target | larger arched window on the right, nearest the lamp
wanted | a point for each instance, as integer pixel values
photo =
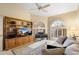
(57, 29)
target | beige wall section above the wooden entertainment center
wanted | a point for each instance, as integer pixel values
(15, 11)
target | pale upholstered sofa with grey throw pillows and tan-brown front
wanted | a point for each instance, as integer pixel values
(59, 48)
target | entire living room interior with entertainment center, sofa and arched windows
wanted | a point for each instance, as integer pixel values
(36, 28)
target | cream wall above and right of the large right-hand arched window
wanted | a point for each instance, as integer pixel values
(71, 21)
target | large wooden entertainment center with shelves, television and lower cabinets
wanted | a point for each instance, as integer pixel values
(16, 32)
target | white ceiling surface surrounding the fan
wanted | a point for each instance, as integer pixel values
(53, 9)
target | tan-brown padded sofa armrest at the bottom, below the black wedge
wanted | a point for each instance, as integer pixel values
(55, 51)
